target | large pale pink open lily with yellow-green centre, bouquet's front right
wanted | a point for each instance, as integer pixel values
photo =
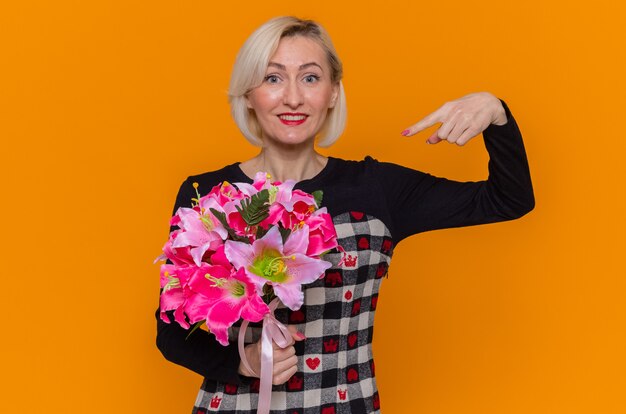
(286, 268)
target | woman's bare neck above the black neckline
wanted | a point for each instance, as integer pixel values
(284, 164)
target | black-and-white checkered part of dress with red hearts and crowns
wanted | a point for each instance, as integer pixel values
(335, 365)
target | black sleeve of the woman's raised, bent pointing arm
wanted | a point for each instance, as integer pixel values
(419, 202)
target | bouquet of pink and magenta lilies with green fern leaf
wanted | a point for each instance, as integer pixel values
(239, 247)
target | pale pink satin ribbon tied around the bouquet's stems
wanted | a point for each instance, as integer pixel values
(273, 330)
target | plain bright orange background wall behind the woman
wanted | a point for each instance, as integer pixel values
(106, 106)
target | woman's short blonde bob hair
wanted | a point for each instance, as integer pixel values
(251, 65)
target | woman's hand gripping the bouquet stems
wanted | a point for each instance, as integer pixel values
(285, 360)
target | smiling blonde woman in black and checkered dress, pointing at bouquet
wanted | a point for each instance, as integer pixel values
(285, 93)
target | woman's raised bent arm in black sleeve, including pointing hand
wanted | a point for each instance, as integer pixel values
(420, 202)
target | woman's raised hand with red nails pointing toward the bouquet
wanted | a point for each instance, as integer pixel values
(462, 119)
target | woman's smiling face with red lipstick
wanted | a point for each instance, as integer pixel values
(292, 102)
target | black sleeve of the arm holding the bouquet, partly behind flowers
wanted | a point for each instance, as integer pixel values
(200, 352)
